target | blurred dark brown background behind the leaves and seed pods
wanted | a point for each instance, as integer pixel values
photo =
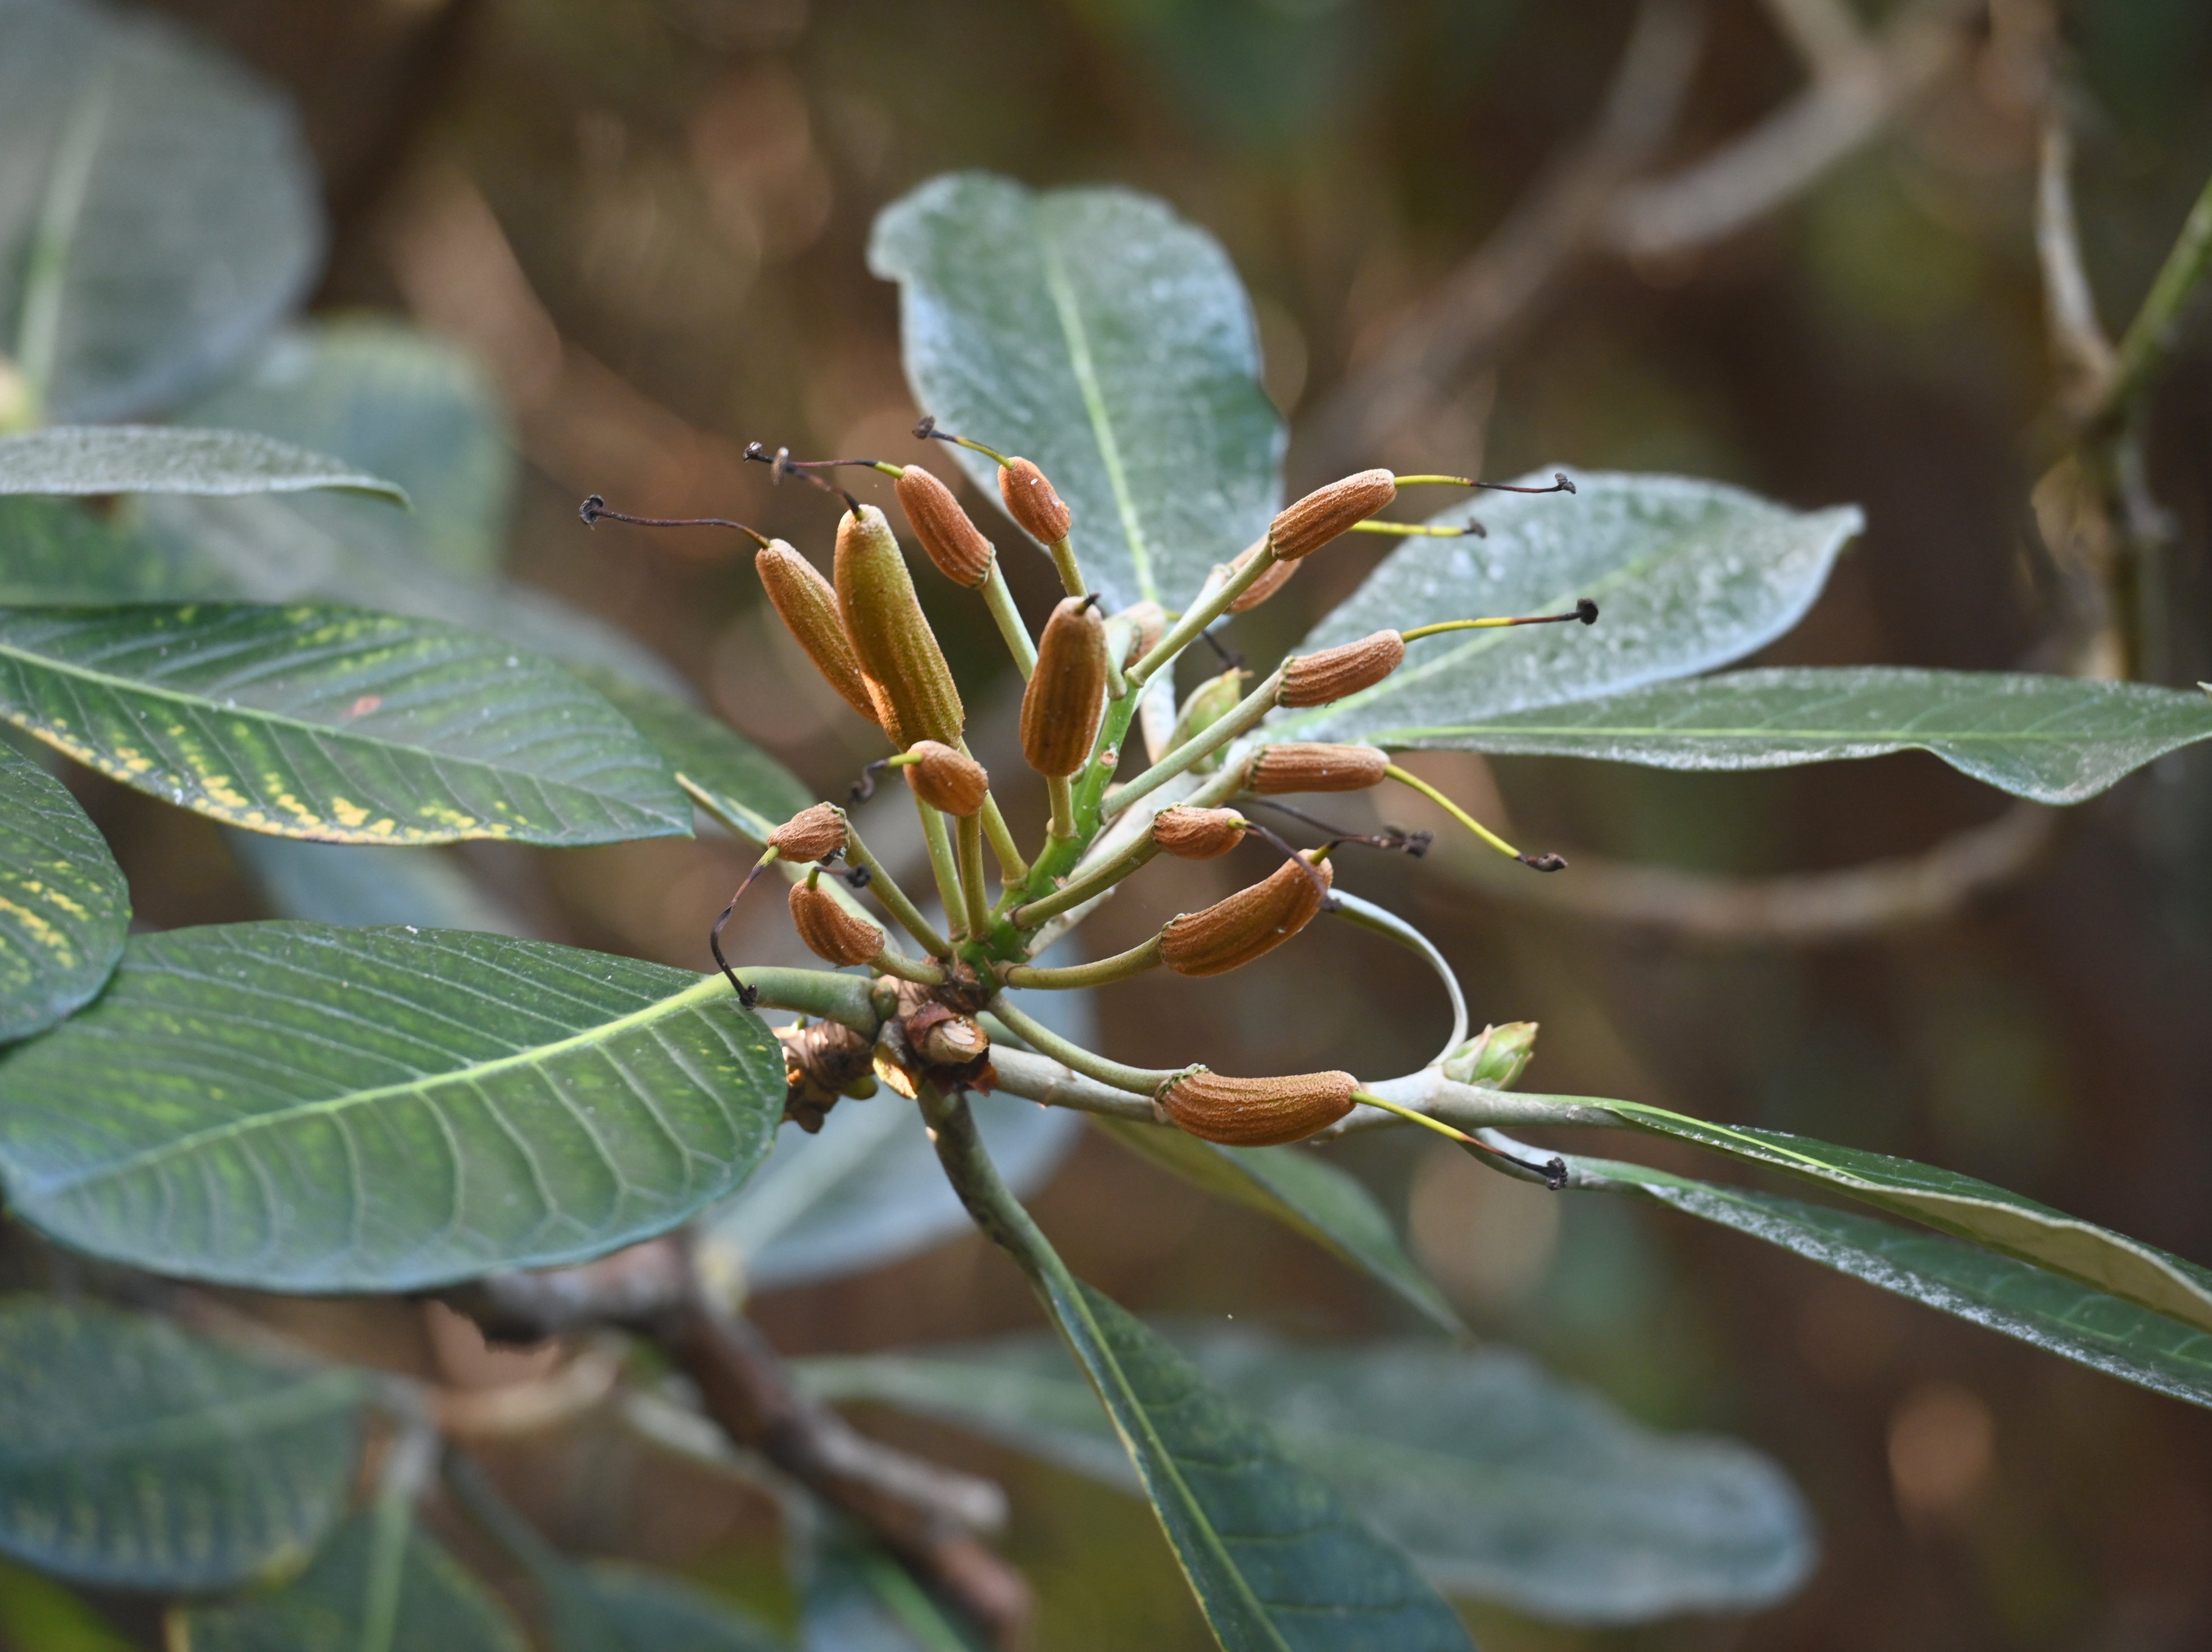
(647, 222)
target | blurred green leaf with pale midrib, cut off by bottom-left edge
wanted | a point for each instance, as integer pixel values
(382, 1587)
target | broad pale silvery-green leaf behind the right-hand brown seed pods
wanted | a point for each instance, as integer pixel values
(1687, 576)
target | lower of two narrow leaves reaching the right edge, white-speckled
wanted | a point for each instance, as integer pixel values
(1968, 1282)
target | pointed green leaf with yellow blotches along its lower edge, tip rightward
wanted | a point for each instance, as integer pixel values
(335, 724)
